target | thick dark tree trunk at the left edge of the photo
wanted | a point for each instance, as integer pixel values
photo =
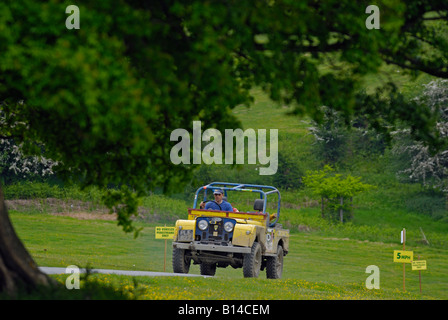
(17, 268)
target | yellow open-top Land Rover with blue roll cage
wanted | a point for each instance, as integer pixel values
(251, 240)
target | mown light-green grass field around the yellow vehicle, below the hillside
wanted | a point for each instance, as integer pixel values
(318, 266)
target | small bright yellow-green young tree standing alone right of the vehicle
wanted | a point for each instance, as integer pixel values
(335, 191)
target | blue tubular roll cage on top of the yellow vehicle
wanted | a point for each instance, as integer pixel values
(262, 190)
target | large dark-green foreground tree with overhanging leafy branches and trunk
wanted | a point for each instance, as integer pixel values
(104, 98)
